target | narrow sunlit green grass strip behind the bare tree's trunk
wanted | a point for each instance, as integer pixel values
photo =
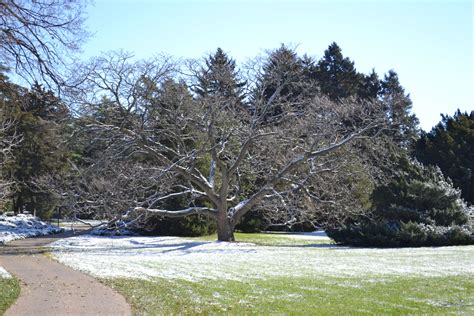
(267, 239)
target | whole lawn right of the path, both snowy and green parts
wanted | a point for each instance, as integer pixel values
(275, 273)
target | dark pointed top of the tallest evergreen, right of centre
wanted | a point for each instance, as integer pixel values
(336, 74)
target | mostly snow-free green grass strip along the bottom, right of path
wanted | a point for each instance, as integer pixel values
(301, 296)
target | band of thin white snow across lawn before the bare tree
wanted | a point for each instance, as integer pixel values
(181, 258)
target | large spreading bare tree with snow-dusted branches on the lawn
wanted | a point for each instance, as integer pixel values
(229, 160)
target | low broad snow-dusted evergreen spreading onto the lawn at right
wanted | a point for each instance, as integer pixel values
(419, 208)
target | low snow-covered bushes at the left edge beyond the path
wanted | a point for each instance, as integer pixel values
(23, 226)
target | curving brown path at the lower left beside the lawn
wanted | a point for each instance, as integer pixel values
(50, 288)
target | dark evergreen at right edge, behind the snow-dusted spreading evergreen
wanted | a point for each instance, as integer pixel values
(450, 145)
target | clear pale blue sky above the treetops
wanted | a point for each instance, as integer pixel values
(428, 43)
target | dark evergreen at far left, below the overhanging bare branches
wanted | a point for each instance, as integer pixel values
(38, 116)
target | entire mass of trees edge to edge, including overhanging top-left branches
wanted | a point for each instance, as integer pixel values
(281, 142)
